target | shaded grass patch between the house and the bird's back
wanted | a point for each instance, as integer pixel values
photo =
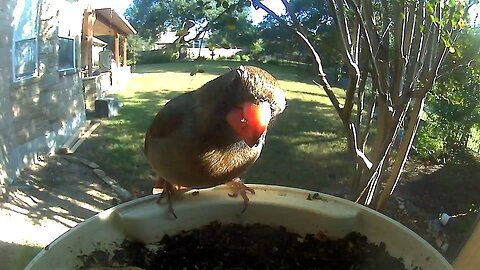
(119, 148)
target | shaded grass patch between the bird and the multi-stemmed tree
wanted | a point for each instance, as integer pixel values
(304, 149)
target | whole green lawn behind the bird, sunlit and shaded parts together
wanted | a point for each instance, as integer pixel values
(305, 145)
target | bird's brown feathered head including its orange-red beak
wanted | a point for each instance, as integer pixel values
(258, 100)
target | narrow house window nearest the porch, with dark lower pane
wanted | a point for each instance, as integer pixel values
(66, 41)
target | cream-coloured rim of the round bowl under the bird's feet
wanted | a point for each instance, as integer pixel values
(298, 210)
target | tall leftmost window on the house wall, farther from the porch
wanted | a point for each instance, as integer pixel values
(25, 39)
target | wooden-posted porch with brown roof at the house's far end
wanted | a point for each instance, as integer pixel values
(104, 70)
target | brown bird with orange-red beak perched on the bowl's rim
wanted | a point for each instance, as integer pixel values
(211, 135)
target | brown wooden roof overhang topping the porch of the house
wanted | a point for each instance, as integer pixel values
(108, 22)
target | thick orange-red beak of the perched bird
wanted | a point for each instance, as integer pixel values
(250, 120)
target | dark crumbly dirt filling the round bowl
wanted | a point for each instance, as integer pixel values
(257, 246)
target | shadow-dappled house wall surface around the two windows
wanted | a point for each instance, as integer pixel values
(38, 114)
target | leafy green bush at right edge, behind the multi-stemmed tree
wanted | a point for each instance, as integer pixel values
(453, 107)
